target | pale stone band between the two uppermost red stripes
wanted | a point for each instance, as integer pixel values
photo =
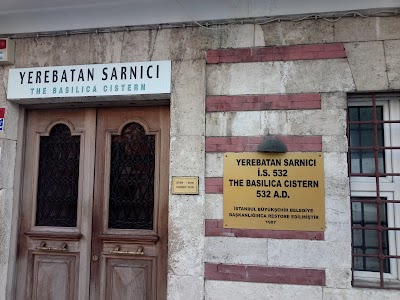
(280, 77)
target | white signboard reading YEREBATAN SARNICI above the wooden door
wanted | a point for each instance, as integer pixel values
(137, 78)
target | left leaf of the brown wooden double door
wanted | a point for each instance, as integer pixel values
(70, 238)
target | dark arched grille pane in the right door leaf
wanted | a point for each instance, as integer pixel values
(131, 200)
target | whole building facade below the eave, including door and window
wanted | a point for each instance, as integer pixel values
(320, 87)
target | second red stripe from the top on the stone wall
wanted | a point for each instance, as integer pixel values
(263, 102)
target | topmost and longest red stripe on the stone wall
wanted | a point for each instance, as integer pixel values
(280, 53)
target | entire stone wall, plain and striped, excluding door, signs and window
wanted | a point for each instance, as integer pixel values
(231, 87)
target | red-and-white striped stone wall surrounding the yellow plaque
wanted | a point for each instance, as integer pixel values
(294, 87)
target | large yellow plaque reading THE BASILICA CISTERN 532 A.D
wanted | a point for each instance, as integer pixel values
(278, 191)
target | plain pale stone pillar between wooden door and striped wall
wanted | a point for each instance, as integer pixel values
(186, 213)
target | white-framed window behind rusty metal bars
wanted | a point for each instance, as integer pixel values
(373, 130)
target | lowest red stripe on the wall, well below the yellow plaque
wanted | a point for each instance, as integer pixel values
(265, 274)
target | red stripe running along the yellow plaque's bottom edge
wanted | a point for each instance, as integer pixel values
(215, 228)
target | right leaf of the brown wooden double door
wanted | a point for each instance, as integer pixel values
(131, 191)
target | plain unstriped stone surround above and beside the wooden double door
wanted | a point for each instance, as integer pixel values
(186, 49)
